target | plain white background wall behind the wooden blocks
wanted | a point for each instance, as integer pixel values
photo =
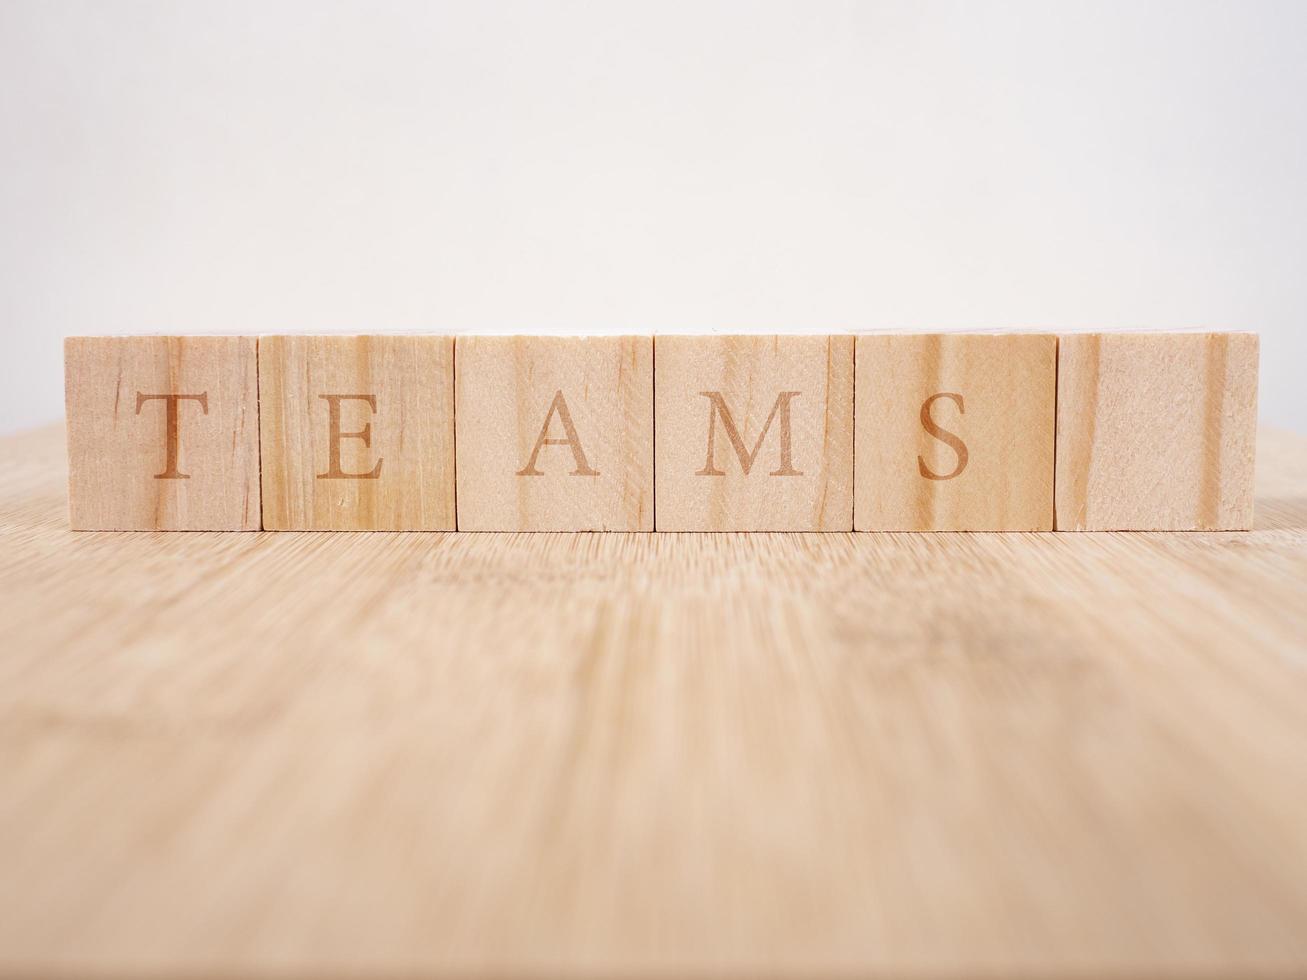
(650, 168)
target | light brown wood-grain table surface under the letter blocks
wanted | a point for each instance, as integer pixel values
(340, 755)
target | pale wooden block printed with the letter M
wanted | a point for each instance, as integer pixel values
(755, 433)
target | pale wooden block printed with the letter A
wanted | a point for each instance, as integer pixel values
(556, 433)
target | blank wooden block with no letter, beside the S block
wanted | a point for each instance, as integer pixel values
(1156, 432)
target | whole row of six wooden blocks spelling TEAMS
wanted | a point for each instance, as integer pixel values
(887, 432)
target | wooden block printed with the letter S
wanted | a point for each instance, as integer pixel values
(956, 432)
